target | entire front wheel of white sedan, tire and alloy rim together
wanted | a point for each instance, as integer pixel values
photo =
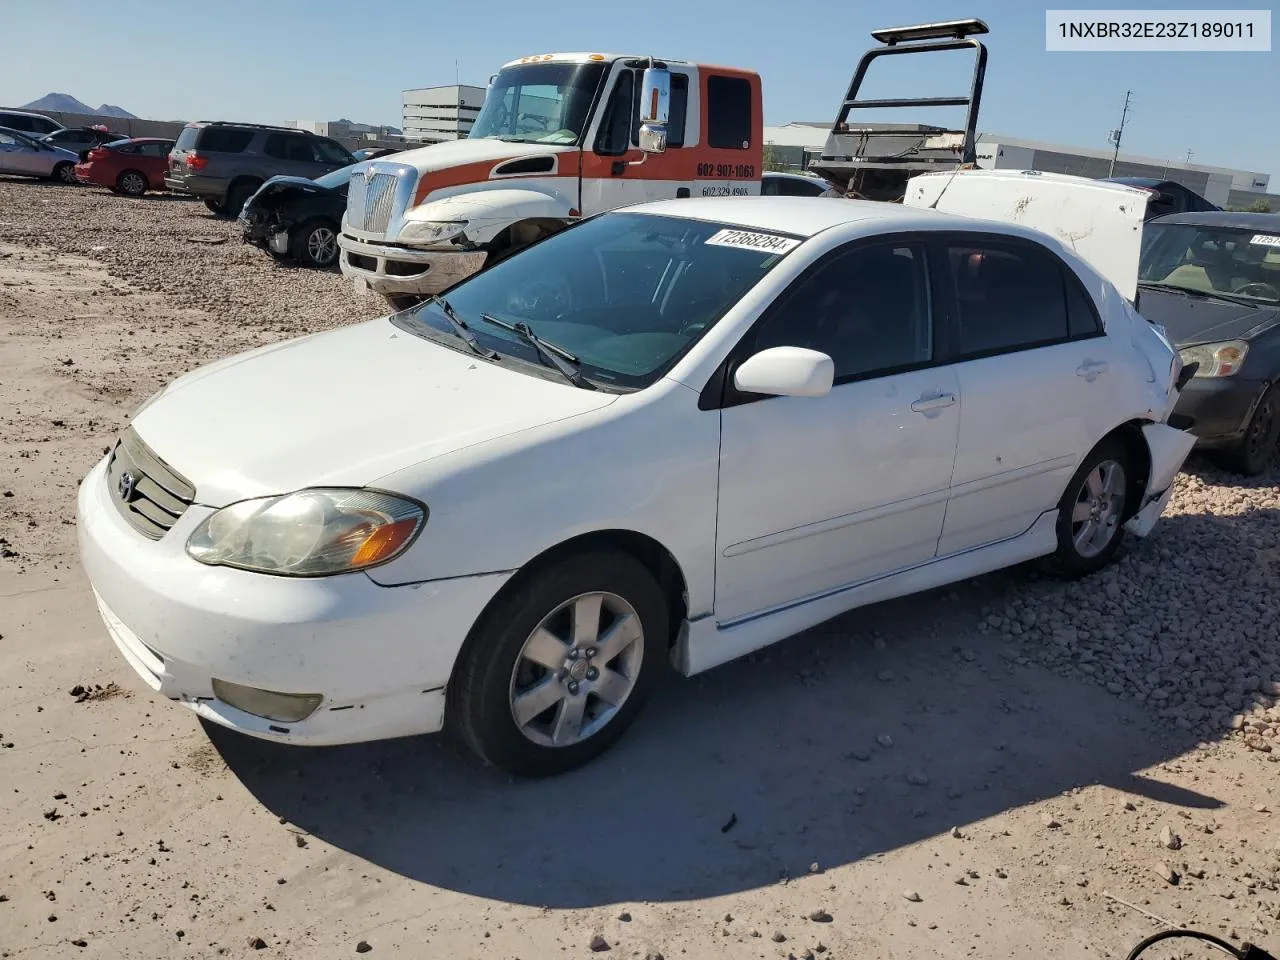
(559, 668)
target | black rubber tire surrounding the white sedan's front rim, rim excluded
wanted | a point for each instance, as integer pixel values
(479, 706)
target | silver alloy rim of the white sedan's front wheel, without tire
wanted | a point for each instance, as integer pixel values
(577, 670)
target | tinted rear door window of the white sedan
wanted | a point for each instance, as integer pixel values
(1009, 298)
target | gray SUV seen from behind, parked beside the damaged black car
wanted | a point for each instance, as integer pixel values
(226, 163)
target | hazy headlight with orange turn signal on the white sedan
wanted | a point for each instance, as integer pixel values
(309, 533)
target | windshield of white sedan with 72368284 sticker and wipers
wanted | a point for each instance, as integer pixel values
(627, 295)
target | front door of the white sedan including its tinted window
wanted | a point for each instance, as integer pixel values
(821, 493)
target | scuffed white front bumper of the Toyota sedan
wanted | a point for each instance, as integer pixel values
(381, 657)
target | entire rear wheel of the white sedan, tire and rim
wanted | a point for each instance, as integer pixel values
(1092, 511)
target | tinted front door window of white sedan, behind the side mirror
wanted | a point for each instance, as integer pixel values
(867, 309)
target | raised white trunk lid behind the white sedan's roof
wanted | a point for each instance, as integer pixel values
(1101, 222)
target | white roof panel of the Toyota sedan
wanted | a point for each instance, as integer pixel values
(808, 217)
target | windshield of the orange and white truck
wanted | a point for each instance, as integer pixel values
(543, 103)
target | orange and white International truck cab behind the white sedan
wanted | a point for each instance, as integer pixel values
(560, 138)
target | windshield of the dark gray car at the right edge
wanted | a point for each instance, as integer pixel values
(1231, 262)
